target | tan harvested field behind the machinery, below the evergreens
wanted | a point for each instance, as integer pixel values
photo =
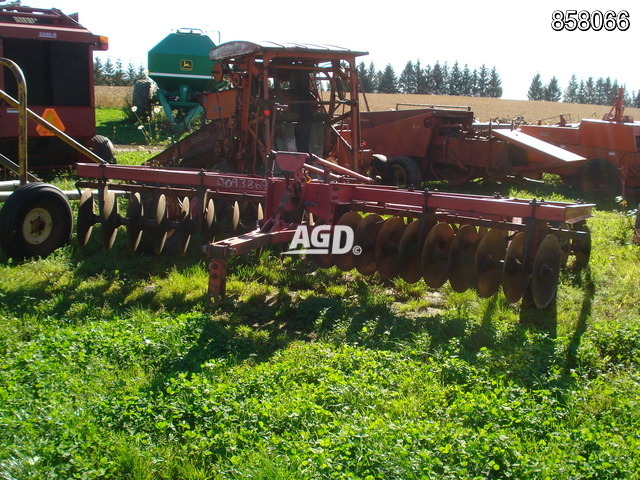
(484, 109)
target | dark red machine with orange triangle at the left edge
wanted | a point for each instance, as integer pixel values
(55, 53)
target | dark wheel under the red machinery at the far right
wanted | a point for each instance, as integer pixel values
(599, 180)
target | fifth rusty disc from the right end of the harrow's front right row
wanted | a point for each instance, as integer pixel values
(435, 254)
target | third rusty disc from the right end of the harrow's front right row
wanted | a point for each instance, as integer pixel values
(489, 262)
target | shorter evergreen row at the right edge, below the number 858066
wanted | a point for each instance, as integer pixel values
(602, 91)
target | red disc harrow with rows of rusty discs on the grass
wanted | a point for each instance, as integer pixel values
(472, 241)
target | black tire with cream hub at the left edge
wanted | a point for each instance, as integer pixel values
(35, 220)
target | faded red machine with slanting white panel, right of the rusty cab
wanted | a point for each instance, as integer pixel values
(444, 144)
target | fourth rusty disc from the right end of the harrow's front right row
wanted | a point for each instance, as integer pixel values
(462, 258)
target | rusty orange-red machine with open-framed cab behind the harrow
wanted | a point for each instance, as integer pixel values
(288, 97)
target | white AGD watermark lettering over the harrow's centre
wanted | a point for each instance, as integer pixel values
(323, 239)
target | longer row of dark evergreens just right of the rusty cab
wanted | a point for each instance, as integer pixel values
(437, 79)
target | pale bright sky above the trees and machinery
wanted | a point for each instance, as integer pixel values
(514, 36)
